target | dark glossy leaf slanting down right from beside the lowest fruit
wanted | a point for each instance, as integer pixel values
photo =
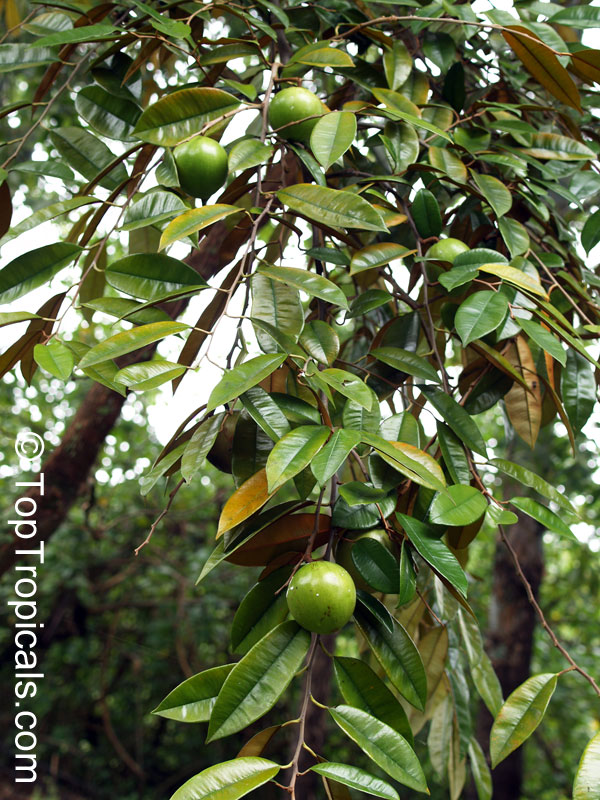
(397, 654)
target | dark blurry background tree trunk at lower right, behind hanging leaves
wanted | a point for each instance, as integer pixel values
(509, 642)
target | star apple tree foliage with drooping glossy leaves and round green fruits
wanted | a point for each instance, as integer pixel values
(383, 210)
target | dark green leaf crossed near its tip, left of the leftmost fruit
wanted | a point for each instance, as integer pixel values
(85, 153)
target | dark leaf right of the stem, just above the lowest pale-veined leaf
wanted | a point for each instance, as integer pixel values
(362, 688)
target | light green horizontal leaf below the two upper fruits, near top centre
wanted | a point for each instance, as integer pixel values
(334, 207)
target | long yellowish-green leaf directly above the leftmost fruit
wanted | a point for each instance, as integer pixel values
(182, 114)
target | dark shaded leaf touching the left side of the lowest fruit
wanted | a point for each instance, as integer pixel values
(262, 609)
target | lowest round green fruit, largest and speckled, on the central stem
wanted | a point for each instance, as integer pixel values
(321, 597)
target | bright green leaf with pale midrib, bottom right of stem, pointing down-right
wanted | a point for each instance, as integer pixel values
(383, 744)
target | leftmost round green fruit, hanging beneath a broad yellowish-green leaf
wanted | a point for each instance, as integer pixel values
(201, 165)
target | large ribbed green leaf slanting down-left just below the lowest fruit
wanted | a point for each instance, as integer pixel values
(257, 681)
